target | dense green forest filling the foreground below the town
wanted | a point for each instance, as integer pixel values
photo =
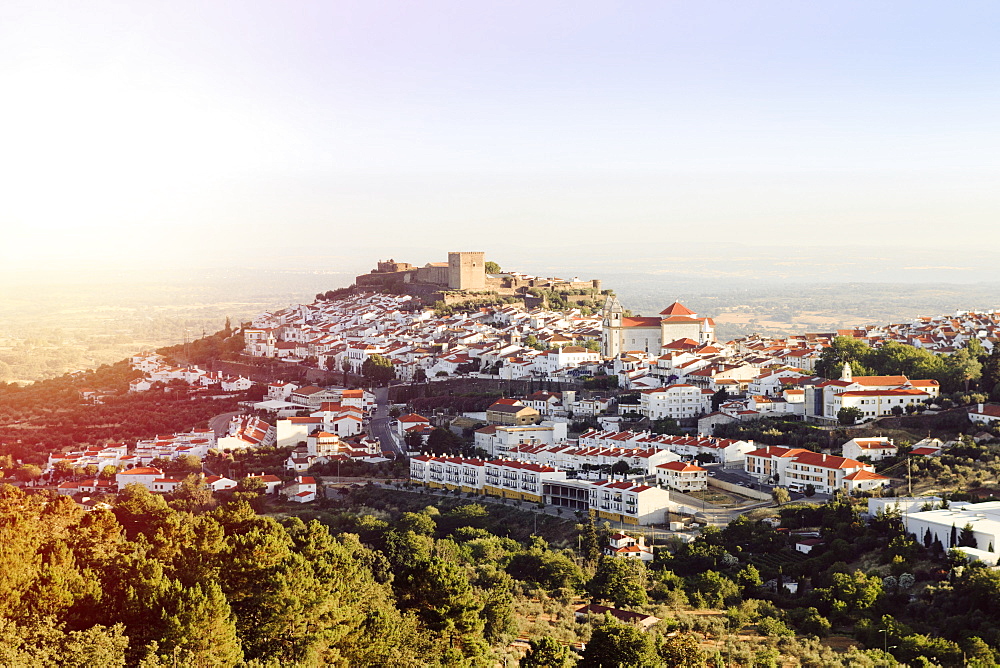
(393, 576)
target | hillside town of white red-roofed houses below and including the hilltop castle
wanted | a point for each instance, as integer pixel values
(648, 431)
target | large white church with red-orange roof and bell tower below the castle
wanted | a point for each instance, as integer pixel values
(622, 334)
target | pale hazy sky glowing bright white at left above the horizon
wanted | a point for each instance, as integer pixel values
(136, 134)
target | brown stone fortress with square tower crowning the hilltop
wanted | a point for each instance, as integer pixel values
(461, 278)
